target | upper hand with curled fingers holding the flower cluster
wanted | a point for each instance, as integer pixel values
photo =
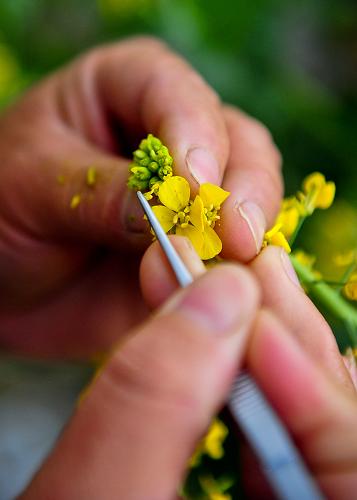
(66, 273)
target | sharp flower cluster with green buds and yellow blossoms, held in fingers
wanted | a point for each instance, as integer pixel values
(151, 172)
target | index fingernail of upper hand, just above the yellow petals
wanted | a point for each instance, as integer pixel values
(202, 165)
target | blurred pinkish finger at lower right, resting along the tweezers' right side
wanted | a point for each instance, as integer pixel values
(319, 413)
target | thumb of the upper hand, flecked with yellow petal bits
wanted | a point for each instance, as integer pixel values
(50, 195)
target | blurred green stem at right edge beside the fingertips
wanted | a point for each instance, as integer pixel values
(326, 295)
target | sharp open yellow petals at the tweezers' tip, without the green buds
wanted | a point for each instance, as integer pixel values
(193, 219)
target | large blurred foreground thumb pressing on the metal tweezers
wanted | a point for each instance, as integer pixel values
(133, 433)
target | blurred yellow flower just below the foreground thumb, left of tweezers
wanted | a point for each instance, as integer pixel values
(212, 443)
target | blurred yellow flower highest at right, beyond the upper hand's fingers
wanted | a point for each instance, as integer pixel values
(317, 192)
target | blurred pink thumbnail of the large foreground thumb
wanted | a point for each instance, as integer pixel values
(220, 301)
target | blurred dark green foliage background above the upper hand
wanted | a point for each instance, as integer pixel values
(291, 64)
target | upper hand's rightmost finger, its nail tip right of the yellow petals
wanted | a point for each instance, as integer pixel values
(254, 180)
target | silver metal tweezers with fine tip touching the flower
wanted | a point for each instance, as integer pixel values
(279, 459)
